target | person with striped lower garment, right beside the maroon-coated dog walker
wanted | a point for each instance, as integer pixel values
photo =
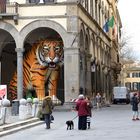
(90, 106)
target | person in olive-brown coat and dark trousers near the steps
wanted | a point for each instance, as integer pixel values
(47, 107)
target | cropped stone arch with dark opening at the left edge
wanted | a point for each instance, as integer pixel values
(8, 56)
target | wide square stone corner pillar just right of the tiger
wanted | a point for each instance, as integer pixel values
(71, 73)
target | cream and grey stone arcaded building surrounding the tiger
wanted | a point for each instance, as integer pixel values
(91, 59)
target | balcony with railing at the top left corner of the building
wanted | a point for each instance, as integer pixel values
(9, 11)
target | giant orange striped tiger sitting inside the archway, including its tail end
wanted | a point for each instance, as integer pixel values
(41, 65)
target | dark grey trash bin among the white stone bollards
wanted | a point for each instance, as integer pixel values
(15, 107)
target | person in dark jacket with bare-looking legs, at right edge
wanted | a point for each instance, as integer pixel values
(134, 103)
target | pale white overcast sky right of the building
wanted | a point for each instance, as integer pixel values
(130, 16)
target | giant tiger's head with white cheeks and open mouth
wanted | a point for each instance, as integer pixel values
(50, 53)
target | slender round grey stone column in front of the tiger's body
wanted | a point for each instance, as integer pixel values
(19, 72)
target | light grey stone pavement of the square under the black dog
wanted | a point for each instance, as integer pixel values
(108, 123)
